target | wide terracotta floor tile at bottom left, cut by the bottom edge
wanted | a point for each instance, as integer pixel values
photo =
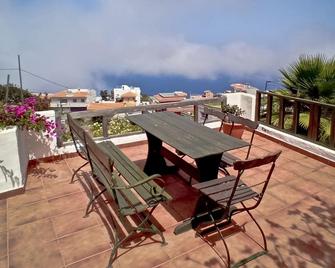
(46, 255)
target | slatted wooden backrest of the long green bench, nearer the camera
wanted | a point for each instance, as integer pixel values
(101, 163)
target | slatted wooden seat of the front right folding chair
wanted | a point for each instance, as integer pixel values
(220, 190)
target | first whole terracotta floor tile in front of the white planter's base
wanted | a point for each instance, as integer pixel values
(30, 196)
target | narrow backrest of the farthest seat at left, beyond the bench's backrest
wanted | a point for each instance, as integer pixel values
(77, 134)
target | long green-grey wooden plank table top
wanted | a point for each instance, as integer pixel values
(185, 135)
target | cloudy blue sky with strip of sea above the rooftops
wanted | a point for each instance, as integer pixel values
(164, 45)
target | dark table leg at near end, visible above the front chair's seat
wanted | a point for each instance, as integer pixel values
(208, 167)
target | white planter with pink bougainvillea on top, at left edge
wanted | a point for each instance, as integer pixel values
(17, 123)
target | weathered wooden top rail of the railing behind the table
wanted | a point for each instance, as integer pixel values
(110, 113)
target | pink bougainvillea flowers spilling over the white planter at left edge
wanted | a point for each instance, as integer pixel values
(24, 115)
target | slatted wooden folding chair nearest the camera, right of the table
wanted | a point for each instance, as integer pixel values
(230, 194)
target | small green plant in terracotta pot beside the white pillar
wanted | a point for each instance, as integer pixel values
(227, 126)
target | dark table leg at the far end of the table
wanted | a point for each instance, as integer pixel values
(155, 162)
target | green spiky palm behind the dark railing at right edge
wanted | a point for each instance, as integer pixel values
(311, 76)
